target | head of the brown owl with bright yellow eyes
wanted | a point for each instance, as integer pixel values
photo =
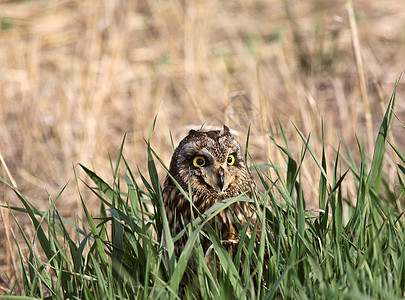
(211, 161)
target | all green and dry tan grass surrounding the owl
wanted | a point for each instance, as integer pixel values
(77, 75)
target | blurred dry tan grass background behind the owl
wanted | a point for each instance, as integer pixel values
(75, 76)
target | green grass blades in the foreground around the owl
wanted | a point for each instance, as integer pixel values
(127, 251)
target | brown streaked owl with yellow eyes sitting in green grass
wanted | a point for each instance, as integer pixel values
(212, 164)
